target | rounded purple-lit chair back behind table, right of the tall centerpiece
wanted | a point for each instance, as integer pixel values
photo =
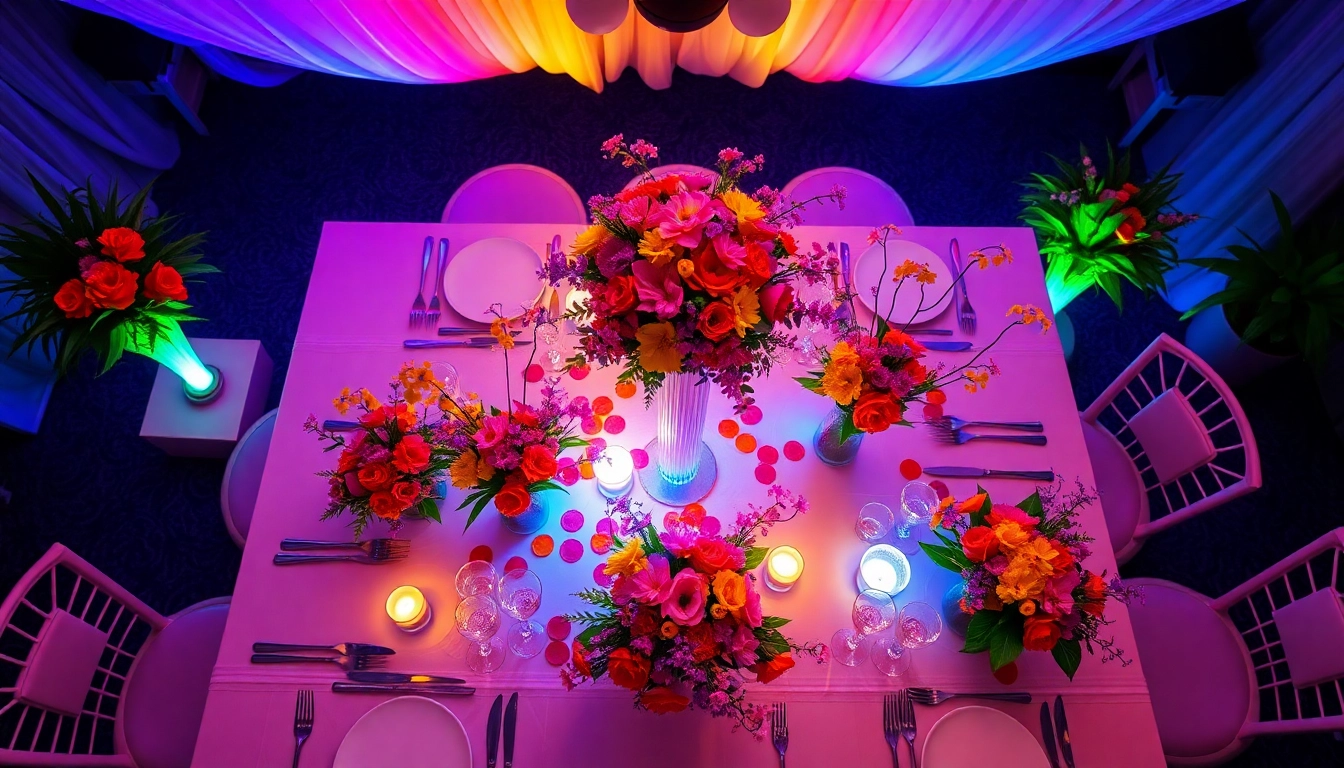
(869, 201)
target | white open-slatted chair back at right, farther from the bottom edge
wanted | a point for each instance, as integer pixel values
(1185, 431)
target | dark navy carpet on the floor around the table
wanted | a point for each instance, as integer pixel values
(282, 162)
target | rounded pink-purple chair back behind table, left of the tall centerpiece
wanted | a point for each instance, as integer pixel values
(515, 194)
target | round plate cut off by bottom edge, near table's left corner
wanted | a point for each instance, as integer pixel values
(408, 732)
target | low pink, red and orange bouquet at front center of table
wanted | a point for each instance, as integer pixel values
(683, 614)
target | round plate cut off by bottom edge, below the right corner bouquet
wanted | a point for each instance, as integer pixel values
(967, 735)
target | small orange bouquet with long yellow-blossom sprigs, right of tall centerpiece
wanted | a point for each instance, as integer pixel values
(876, 373)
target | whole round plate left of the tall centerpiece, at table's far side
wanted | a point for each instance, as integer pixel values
(493, 271)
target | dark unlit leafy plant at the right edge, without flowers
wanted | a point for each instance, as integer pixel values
(1288, 298)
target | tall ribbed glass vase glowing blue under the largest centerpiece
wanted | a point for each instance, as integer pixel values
(682, 467)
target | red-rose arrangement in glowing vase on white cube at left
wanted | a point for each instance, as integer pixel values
(97, 275)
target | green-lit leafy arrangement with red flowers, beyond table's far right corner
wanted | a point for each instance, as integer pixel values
(1097, 228)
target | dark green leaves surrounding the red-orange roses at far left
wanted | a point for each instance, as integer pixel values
(45, 255)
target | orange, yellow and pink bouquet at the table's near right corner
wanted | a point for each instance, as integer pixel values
(1026, 586)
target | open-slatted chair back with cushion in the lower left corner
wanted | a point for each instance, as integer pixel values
(71, 638)
